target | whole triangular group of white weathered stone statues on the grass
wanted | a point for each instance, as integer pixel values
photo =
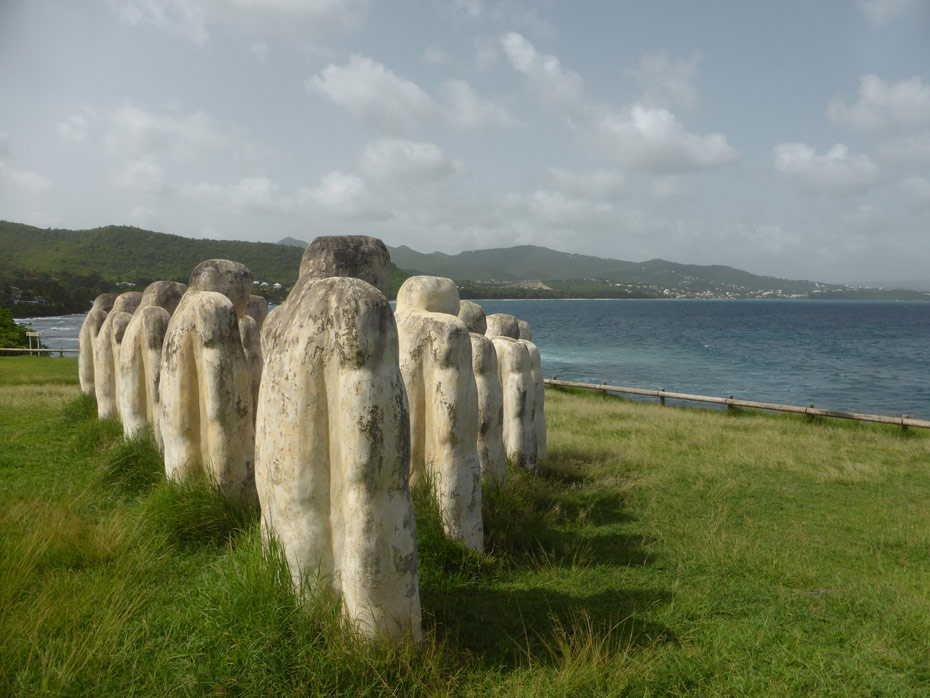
(327, 410)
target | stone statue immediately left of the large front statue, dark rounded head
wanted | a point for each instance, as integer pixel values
(205, 398)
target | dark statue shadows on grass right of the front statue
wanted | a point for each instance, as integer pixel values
(559, 522)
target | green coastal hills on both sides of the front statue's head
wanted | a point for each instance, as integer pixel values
(52, 272)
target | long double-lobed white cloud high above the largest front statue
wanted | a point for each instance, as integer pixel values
(390, 104)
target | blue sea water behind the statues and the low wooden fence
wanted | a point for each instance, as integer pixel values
(843, 355)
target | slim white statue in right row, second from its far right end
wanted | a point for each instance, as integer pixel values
(519, 389)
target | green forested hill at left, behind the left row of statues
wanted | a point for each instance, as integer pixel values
(124, 252)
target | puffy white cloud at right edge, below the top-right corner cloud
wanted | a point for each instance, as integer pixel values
(881, 105)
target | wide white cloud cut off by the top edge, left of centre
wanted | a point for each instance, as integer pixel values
(192, 19)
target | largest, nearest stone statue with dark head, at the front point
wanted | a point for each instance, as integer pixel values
(332, 437)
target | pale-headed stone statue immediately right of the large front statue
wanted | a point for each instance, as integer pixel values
(436, 363)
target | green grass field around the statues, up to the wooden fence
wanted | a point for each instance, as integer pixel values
(661, 551)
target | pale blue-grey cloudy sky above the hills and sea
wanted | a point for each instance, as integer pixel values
(786, 138)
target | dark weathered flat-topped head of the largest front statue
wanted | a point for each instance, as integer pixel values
(357, 256)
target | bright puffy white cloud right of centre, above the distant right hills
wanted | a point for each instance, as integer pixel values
(653, 140)
